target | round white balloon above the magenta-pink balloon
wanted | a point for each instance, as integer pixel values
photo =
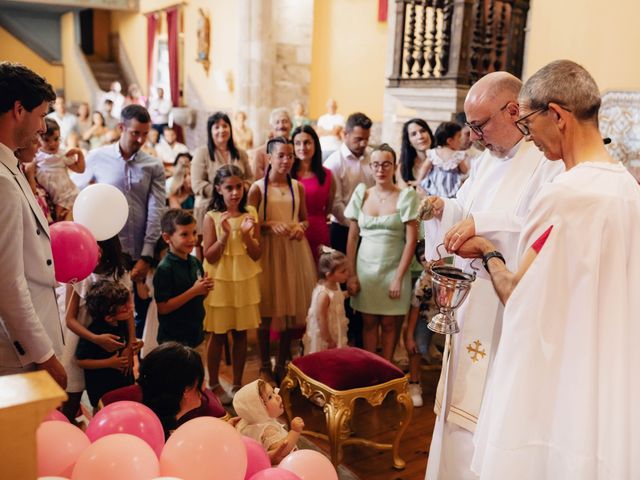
(103, 209)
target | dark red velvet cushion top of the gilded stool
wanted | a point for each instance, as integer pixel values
(347, 368)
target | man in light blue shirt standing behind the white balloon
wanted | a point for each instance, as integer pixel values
(140, 177)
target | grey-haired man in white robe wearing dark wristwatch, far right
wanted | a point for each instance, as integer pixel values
(563, 398)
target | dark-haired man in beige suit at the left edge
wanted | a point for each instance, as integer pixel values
(30, 331)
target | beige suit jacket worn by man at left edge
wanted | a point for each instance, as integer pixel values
(30, 329)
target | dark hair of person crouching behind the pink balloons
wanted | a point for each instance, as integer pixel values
(165, 373)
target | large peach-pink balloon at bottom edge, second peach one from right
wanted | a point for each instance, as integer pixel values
(204, 448)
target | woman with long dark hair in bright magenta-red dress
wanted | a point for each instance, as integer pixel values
(319, 185)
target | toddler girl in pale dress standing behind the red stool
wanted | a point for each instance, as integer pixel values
(327, 322)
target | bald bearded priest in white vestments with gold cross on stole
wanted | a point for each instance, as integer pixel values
(492, 202)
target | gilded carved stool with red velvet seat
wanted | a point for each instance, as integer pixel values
(339, 376)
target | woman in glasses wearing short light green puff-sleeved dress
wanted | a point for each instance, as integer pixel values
(385, 217)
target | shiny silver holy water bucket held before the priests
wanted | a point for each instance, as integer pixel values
(450, 287)
